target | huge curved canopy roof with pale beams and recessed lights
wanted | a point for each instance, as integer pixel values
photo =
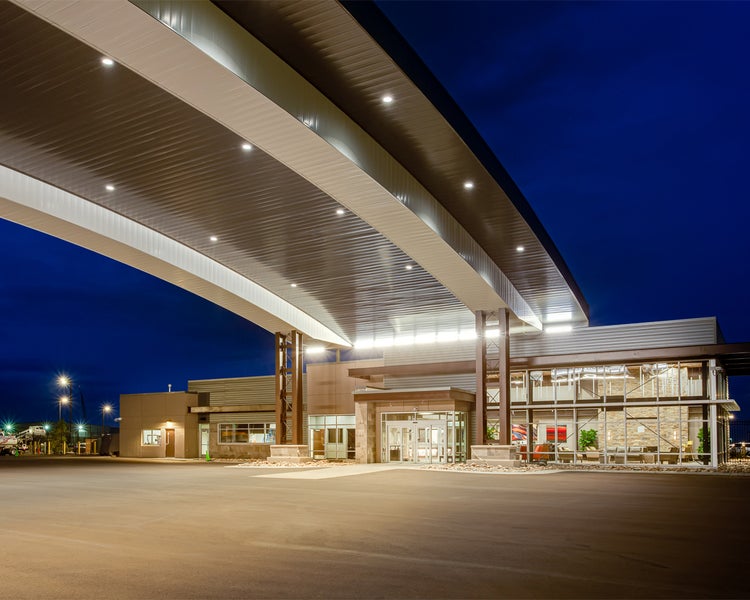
(348, 219)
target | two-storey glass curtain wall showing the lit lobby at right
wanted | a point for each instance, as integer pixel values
(656, 413)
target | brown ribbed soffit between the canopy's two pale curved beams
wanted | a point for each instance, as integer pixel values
(68, 121)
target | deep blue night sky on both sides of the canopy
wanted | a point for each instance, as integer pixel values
(625, 125)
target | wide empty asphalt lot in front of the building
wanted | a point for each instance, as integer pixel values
(112, 528)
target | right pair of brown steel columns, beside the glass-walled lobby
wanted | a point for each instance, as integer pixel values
(492, 418)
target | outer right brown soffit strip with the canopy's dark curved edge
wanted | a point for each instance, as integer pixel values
(354, 72)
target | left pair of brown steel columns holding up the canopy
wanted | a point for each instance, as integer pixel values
(289, 400)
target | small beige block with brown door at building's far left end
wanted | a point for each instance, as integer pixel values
(162, 411)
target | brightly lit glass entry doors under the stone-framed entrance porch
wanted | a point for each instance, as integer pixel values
(437, 437)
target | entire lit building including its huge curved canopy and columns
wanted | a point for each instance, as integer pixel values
(297, 164)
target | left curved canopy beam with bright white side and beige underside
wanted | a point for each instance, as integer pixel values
(45, 208)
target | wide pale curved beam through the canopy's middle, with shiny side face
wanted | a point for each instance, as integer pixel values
(295, 123)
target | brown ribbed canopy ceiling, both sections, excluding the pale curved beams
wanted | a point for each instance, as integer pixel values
(68, 121)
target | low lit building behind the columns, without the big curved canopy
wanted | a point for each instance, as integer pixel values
(647, 393)
